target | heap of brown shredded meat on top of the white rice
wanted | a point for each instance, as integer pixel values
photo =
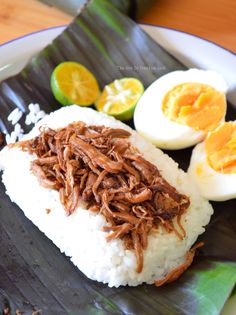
(98, 166)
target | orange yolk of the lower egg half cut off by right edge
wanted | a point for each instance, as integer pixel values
(220, 148)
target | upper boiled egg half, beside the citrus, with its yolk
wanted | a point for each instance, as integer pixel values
(177, 110)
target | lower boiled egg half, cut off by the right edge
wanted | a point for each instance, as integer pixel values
(213, 164)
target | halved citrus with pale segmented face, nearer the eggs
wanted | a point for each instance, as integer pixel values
(120, 97)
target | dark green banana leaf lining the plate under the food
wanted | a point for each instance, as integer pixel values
(34, 275)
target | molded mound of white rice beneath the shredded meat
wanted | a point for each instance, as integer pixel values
(80, 235)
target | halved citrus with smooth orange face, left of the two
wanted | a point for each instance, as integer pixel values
(72, 83)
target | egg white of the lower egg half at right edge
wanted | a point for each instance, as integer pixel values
(211, 184)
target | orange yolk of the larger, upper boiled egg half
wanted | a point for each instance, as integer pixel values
(194, 104)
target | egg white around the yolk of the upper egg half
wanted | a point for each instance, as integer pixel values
(150, 120)
